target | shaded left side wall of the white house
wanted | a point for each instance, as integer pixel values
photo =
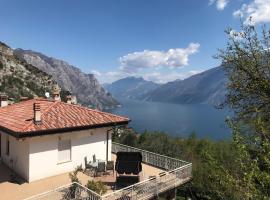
(18, 153)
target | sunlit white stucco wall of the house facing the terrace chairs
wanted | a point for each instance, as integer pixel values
(43, 152)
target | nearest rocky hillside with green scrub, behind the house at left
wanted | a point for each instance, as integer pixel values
(20, 79)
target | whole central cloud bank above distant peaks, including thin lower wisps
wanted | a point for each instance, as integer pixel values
(157, 66)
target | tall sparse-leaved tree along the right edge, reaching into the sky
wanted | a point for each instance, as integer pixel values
(246, 60)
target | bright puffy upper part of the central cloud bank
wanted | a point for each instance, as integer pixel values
(172, 58)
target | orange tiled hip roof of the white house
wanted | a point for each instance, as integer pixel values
(18, 118)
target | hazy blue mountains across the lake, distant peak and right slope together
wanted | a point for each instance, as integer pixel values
(208, 87)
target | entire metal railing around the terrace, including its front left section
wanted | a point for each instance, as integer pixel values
(177, 172)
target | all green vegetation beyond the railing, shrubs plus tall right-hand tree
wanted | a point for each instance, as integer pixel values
(240, 168)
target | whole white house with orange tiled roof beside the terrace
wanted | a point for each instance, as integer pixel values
(41, 138)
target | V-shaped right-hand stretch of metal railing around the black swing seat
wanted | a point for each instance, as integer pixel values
(177, 173)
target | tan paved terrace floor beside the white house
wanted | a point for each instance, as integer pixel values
(15, 191)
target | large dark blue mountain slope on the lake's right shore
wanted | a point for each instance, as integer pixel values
(208, 87)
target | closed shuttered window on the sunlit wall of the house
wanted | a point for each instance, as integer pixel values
(64, 151)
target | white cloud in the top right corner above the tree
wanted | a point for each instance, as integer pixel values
(258, 10)
